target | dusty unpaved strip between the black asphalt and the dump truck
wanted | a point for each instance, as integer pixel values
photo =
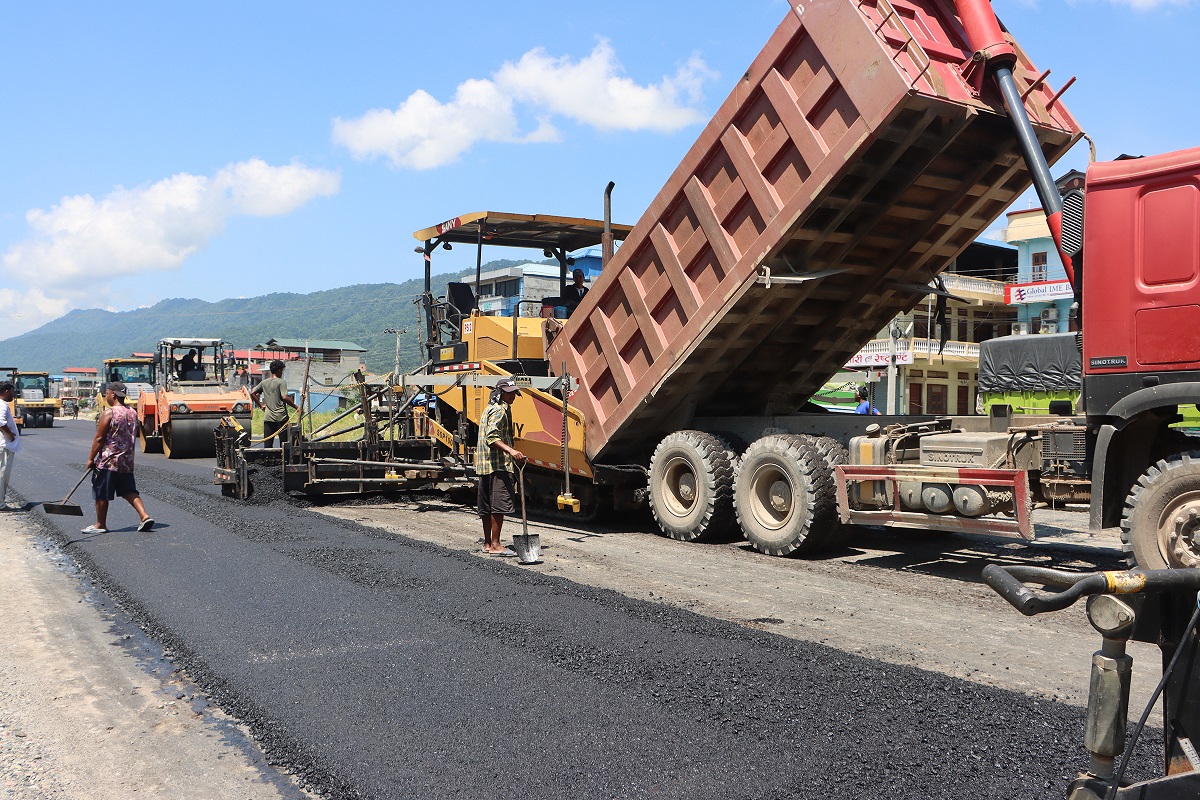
(899, 599)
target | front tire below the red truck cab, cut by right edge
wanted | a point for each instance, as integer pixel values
(1161, 524)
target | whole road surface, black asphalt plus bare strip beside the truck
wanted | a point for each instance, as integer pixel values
(373, 653)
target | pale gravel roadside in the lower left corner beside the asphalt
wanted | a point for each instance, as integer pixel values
(82, 719)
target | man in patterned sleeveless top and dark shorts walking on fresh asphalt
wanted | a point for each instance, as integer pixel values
(112, 459)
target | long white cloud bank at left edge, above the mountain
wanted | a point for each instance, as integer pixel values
(79, 246)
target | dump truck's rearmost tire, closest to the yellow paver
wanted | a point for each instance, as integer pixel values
(692, 486)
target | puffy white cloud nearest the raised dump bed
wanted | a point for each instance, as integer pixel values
(424, 133)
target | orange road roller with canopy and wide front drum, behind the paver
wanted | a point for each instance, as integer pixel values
(191, 395)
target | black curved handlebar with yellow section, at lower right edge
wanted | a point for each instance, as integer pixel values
(1010, 582)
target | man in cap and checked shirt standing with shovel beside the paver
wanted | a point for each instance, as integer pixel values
(496, 459)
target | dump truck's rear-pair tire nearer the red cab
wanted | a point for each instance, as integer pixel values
(784, 496)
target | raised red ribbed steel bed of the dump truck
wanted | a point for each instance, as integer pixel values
(850, 166)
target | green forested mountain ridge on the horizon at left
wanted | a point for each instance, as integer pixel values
(359, 314)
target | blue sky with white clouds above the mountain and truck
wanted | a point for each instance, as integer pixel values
(215, 151)
